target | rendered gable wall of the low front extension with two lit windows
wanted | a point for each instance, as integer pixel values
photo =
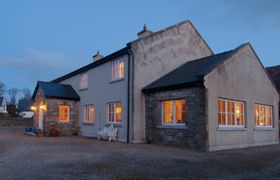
(241, 78)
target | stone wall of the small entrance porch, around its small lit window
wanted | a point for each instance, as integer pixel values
(51, 117)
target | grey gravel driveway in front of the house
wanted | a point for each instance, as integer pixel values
(26, 157)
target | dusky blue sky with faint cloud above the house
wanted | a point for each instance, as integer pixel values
(42, 40)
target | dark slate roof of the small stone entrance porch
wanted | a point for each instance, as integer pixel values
(55, 90)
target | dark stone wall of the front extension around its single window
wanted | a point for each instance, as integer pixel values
(193, 135)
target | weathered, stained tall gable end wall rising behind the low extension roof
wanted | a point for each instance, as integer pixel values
(155, 56)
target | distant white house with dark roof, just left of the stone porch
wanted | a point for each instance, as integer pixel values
(24, 108)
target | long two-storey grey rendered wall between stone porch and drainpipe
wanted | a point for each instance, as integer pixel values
(101, 90)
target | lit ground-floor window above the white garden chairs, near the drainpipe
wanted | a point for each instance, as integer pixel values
(115, 112)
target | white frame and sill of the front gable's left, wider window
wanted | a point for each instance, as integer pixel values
(234, 112)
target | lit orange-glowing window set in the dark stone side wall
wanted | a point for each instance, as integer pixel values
(174, 112)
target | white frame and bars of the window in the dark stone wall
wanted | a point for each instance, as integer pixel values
(173, 113)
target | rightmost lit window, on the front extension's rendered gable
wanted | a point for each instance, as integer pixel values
(263, 115)
